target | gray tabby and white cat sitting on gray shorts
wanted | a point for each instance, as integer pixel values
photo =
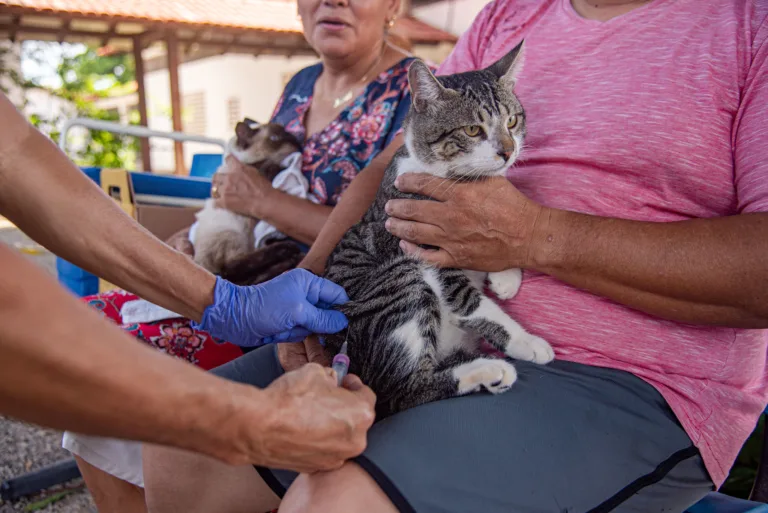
(414, 330)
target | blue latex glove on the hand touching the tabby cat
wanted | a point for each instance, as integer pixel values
(285, 309)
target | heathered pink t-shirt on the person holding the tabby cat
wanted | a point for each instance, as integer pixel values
(660, 114)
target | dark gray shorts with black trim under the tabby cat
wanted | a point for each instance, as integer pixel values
(565, 438)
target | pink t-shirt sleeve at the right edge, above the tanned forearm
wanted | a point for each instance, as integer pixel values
(750, 133)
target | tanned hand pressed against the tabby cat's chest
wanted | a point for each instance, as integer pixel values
(485, 226)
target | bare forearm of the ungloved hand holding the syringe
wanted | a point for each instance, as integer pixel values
(76, 371)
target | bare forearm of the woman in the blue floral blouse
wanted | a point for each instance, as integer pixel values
(298, 218)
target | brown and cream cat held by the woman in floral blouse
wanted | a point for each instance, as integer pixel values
(223, 238)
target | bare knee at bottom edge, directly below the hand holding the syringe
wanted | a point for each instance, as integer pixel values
(348, 489)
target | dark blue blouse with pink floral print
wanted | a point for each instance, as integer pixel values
(337, 153)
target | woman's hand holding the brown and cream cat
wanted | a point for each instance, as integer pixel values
(241, 189)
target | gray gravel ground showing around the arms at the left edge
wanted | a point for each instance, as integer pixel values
(25, 448)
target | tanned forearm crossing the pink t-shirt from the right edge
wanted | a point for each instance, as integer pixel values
(704, 271)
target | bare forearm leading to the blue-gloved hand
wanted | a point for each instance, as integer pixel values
(46, 196)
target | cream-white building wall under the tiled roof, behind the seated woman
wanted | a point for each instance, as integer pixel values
(256, 81)
